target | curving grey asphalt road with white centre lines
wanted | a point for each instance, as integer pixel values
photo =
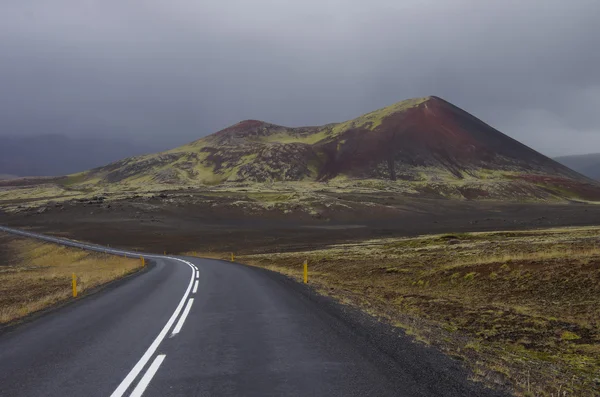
(200, 327)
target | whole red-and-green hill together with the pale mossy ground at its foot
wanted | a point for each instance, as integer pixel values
(423, 147)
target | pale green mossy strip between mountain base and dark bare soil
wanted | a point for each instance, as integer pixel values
(314, 198)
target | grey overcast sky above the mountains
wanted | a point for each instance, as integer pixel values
(168, 72)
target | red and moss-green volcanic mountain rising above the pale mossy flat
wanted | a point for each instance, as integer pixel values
(416, 139)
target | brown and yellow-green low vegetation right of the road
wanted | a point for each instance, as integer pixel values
(522, 309)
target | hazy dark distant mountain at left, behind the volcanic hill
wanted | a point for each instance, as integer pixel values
(55, 154)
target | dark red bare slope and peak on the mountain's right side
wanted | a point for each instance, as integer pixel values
(436, 134)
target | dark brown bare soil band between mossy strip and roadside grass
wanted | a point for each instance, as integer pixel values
(158, 224)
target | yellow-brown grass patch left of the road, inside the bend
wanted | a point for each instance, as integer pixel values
(35, 275)
